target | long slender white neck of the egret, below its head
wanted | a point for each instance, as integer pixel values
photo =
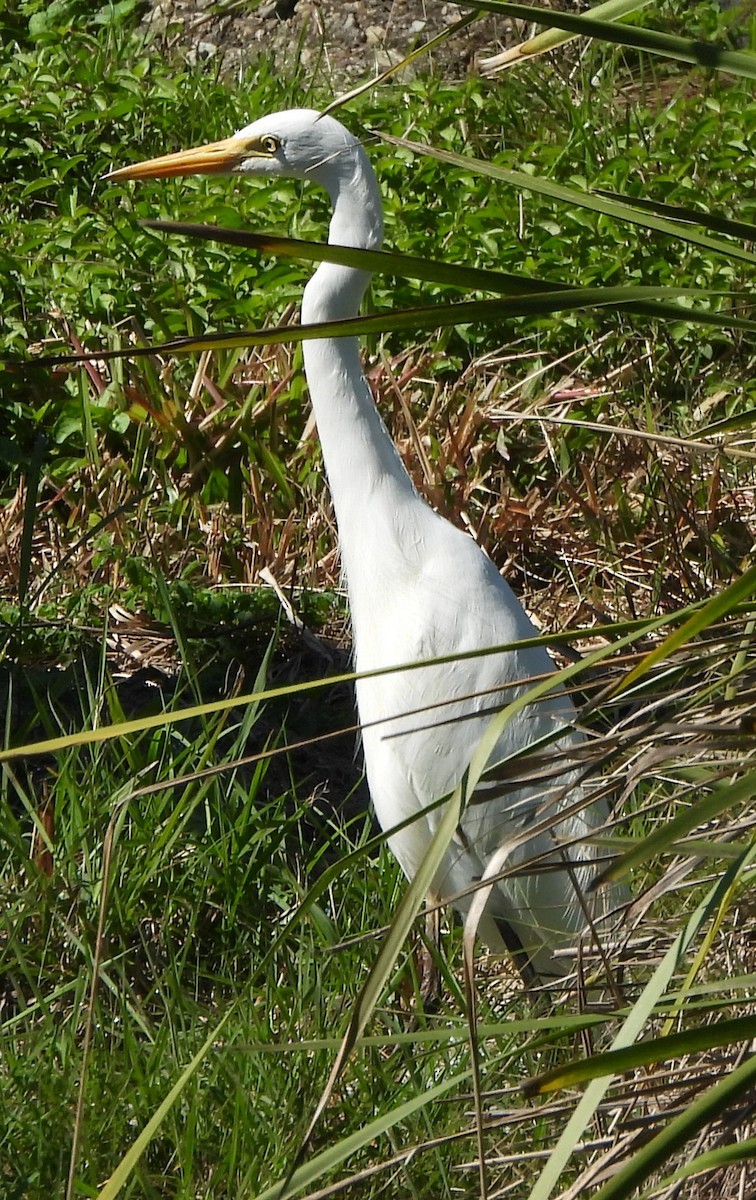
(362, 464)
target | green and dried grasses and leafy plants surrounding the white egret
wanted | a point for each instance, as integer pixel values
(187, 874)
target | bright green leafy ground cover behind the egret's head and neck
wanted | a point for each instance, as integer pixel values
(76, 263)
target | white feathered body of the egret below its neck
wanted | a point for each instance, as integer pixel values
(423, 727)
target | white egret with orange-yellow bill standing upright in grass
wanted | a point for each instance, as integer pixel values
(419, 589)
